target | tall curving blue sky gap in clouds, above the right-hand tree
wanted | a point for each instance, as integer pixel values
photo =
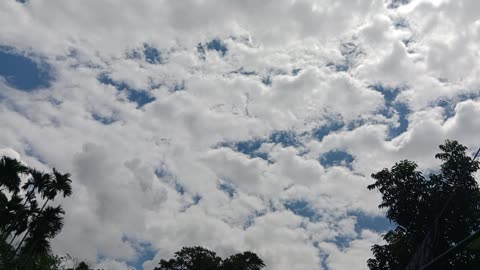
(393, 107)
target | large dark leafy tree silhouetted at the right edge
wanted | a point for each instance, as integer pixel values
(431, 213)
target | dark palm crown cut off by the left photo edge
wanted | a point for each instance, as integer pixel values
(10, 171)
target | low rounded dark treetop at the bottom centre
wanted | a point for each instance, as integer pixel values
(199, 258)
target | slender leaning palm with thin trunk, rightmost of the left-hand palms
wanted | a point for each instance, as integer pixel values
(61, 183)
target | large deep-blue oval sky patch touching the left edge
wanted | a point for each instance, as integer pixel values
(24, 72)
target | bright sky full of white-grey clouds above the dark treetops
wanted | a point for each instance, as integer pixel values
(234, 125)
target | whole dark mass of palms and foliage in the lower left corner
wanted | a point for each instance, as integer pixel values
(20, 215)
